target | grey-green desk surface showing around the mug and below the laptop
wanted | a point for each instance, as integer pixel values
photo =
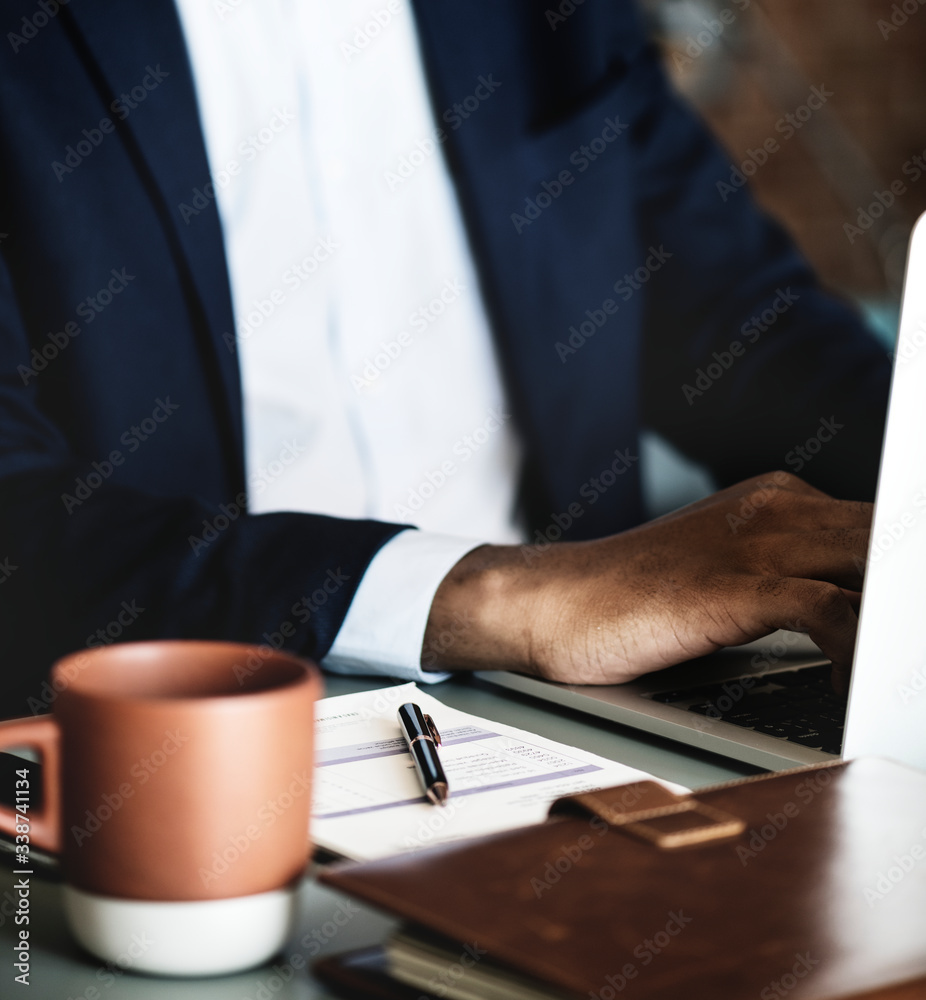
(328, 922)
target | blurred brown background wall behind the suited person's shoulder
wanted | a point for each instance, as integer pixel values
(850, 180)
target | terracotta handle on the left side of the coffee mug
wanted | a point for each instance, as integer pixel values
(42, 733)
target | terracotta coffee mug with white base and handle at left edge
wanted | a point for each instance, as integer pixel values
(177, 792)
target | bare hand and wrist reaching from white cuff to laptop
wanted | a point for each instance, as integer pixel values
(708, 576)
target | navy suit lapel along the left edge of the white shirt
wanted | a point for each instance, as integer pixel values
(139, 47)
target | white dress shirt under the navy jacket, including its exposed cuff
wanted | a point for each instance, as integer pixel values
(371, 388)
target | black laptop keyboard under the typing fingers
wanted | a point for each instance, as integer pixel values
(796, 705)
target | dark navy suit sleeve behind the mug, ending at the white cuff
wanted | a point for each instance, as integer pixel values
(131, 565)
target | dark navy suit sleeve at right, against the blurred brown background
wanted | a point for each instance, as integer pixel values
(748, 363)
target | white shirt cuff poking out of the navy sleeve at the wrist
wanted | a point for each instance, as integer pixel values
(384, 628)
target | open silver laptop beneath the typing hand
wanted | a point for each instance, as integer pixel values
(770, 703)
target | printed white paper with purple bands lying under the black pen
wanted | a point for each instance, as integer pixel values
(369, 803)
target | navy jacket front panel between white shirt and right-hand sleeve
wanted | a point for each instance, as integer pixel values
(538, 282)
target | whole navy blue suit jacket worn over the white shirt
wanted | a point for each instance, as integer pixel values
(120, 405)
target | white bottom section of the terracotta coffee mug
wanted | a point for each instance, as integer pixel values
(183, 938)
